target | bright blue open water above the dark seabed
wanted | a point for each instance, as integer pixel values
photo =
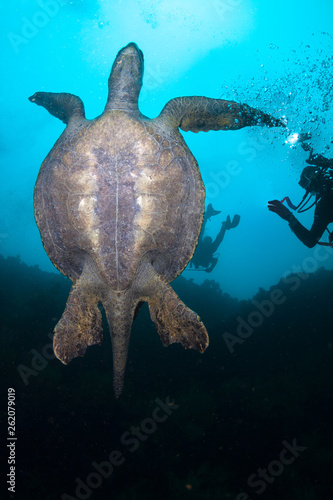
(274, 56)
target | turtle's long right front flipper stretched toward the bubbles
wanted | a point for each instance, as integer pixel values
(197, 114)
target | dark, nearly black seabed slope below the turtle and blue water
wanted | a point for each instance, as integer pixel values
(222, 425)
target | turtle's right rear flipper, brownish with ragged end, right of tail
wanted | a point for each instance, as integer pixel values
(175, 322)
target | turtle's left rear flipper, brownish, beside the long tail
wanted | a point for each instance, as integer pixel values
(80, 325)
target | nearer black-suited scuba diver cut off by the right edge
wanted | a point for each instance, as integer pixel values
(317, 180)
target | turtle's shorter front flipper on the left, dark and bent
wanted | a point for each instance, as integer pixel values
(66, 107)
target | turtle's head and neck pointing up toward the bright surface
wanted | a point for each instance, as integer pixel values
(125, 80)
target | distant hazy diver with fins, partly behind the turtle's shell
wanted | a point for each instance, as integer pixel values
(204, 253)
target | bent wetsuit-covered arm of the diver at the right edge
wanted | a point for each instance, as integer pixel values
(323, 217)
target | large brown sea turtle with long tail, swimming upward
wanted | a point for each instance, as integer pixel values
(119, 203)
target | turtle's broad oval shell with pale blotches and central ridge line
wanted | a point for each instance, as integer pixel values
(124, 189)
